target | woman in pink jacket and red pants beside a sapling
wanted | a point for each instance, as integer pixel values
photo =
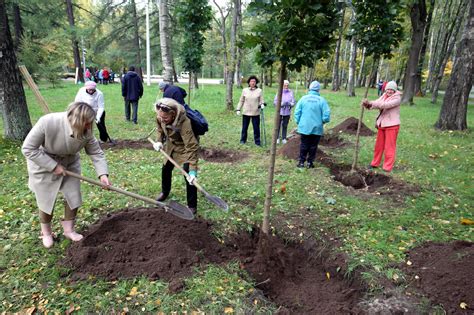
(388, 125)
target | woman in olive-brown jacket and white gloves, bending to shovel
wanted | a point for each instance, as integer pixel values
(176, 138)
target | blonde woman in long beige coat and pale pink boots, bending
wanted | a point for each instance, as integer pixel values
(53, 146)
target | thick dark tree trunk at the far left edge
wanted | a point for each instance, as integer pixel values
(13, 107)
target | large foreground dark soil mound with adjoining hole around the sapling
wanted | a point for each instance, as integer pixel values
(151, 242)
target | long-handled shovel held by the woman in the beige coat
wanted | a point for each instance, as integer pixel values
(172, 207)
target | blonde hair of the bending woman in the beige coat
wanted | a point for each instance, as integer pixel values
(79, 114)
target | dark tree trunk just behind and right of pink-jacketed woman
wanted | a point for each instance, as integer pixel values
(418, 22)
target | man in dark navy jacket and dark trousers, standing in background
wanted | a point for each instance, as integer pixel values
(132, 90)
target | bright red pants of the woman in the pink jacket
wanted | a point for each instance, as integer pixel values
(386, 143)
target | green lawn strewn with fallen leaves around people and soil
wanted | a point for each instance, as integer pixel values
(373, 231)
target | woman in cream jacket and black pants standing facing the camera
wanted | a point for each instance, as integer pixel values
(250, 103)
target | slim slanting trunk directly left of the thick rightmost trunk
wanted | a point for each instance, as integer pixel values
(449, 44)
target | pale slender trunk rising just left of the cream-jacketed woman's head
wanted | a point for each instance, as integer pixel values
(233, 55)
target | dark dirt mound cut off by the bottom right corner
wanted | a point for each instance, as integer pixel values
(443, 272)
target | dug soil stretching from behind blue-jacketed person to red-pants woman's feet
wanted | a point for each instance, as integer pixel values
(361, 179)
